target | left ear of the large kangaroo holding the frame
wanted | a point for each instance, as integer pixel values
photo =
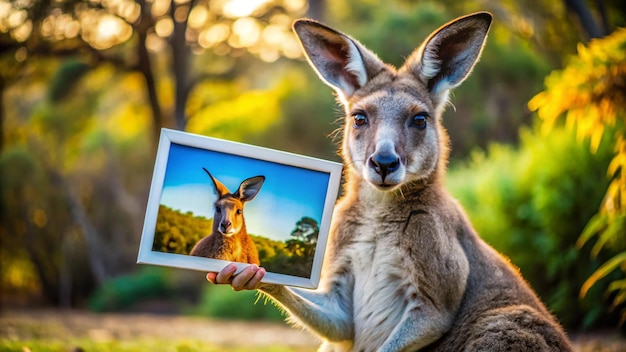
(340, 61)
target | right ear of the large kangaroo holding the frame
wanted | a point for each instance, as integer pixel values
(448, 55)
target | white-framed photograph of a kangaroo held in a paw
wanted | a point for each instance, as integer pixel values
(213, 202)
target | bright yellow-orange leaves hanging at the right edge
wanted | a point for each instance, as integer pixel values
(589, 94)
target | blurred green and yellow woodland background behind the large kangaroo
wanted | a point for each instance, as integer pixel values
(538, 137)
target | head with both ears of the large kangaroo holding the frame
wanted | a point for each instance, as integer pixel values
(392, 132)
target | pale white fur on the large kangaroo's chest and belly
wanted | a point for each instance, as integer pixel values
(382, 290)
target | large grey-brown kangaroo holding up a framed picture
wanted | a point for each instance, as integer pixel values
(405, 270)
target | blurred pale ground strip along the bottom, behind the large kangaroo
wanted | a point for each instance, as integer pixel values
(70, 330)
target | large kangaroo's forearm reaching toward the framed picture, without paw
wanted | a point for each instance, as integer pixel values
(327, 312)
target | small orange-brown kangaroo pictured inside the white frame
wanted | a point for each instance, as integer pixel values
(229, 239)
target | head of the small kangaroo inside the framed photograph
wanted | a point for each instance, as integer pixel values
(228, 218)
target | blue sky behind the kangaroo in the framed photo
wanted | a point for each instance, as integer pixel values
(288, 193)
